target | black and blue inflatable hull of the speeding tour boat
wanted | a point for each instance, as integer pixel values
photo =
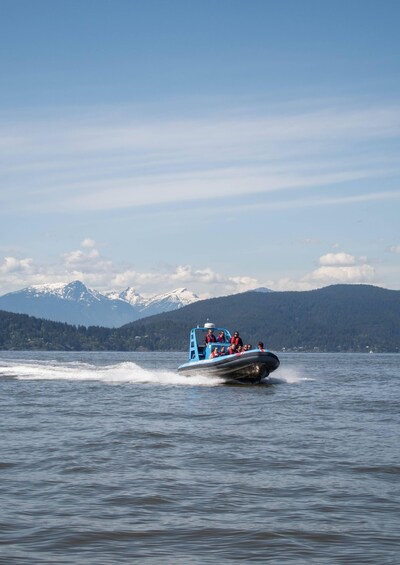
(244, 368)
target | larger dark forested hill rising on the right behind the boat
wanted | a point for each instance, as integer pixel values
(335, 318)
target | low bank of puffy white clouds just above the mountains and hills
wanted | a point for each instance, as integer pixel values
(103, 274)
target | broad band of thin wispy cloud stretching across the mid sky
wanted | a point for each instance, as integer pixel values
(123, 161)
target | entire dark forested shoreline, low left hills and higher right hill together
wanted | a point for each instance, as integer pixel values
(335, 318)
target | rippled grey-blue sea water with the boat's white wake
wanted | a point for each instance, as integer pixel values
(110, 458)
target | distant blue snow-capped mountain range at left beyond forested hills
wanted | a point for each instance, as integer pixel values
(77, 304)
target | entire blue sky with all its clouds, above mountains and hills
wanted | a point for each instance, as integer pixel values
(217, 145)
